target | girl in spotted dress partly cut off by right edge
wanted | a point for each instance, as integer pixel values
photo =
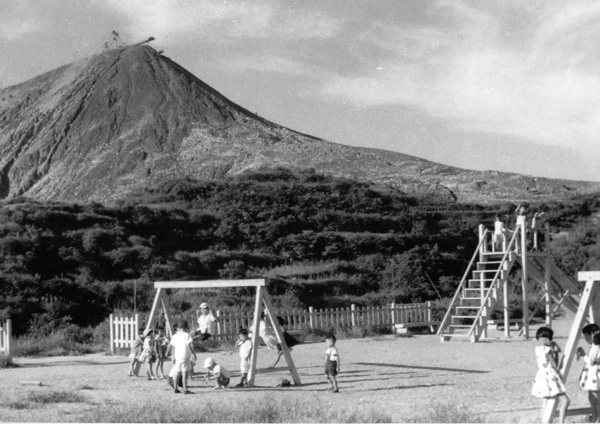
(589, 375)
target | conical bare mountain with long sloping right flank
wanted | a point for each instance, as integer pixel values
(103, 127)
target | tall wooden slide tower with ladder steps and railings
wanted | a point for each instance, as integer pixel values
(489, 269)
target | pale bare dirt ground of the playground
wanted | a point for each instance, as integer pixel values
(393, 374)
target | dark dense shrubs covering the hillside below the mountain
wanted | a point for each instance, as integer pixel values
(320, 241)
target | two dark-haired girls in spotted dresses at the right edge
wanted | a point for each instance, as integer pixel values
(548, 382)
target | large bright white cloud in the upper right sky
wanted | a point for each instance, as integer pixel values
(481, 70)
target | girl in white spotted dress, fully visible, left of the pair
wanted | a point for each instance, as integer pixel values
(548, 383)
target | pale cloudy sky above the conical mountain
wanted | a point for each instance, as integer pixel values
(483, 84)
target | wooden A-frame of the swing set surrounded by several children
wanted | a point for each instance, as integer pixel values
(263, 302)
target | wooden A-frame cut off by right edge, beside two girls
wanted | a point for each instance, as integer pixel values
(588, 312)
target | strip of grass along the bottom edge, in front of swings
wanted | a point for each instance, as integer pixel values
(264, 410)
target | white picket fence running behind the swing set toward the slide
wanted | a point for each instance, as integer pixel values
(231, 320)
